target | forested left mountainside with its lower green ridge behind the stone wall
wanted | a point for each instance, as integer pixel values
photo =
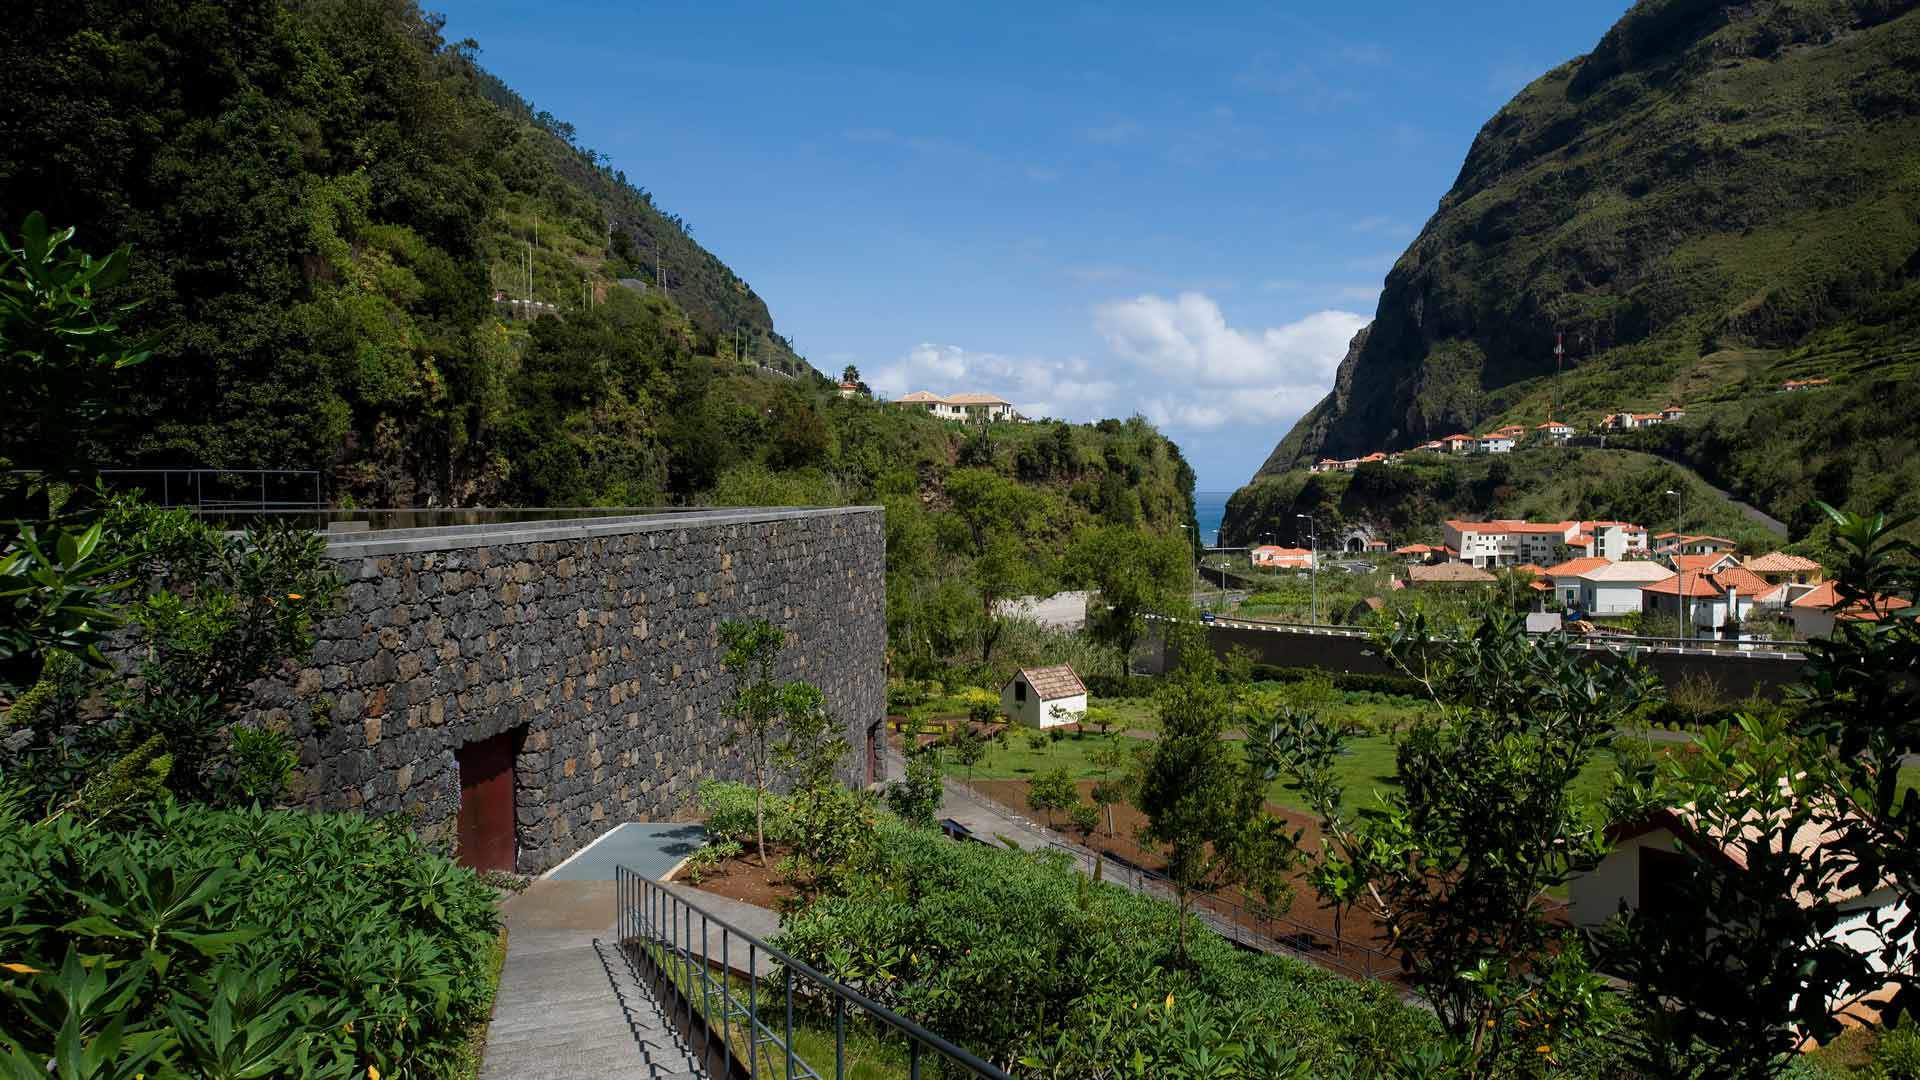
(339, 222)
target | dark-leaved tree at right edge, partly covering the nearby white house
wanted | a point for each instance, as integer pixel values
(1767, 910)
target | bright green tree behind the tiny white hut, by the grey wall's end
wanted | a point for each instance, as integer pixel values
(1136, 576)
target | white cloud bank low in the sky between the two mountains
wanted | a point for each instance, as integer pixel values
(1176, 360)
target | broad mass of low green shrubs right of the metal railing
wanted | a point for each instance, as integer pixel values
(1078, 973)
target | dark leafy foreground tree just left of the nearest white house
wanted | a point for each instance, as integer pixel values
(1458, 858)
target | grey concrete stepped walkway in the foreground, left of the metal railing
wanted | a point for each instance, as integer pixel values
(573, 1008)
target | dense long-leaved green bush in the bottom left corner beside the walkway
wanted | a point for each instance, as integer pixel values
(239, 945)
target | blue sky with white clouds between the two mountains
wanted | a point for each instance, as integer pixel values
(1090, 210)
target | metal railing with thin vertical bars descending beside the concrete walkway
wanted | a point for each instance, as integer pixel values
(752, 1006)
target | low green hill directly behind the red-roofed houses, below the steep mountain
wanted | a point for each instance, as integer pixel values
(1412, 499)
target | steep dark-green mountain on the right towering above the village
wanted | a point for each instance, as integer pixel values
(1717, 199)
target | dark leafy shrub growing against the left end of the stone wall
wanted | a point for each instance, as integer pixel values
(220, 612)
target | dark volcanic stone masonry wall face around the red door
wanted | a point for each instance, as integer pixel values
(596, 641)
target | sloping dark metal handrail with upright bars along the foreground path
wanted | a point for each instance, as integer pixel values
(656, 927)
